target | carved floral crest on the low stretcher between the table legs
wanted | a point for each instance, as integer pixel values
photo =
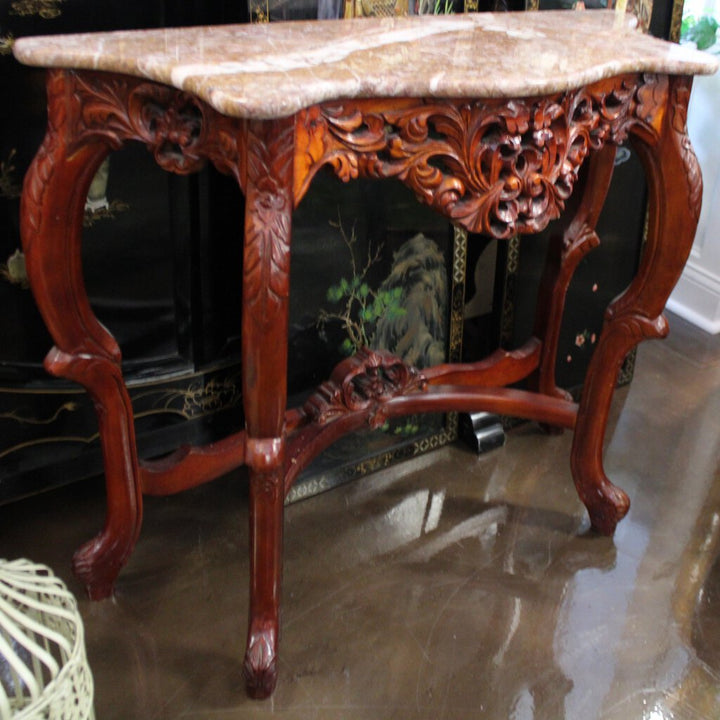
(362, 383)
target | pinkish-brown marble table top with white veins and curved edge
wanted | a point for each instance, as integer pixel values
(274, 70)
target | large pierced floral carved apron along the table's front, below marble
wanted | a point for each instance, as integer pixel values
(495, 166)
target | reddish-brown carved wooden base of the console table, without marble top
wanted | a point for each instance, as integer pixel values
(495, 166)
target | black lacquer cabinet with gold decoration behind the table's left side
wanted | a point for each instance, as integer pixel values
(160, 254)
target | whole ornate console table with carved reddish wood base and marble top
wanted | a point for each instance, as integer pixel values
(488, 118)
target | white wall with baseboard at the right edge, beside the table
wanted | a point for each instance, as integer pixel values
(697, 295)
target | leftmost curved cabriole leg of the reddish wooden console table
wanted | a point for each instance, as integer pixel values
(51, 225)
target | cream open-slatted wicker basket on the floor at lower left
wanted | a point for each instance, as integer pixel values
(43, 668)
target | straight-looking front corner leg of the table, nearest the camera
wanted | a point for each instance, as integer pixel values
(268, 214)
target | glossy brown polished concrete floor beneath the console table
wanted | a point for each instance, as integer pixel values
(454, 586)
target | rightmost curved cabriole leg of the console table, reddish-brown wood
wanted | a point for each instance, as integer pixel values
(675, 186)
